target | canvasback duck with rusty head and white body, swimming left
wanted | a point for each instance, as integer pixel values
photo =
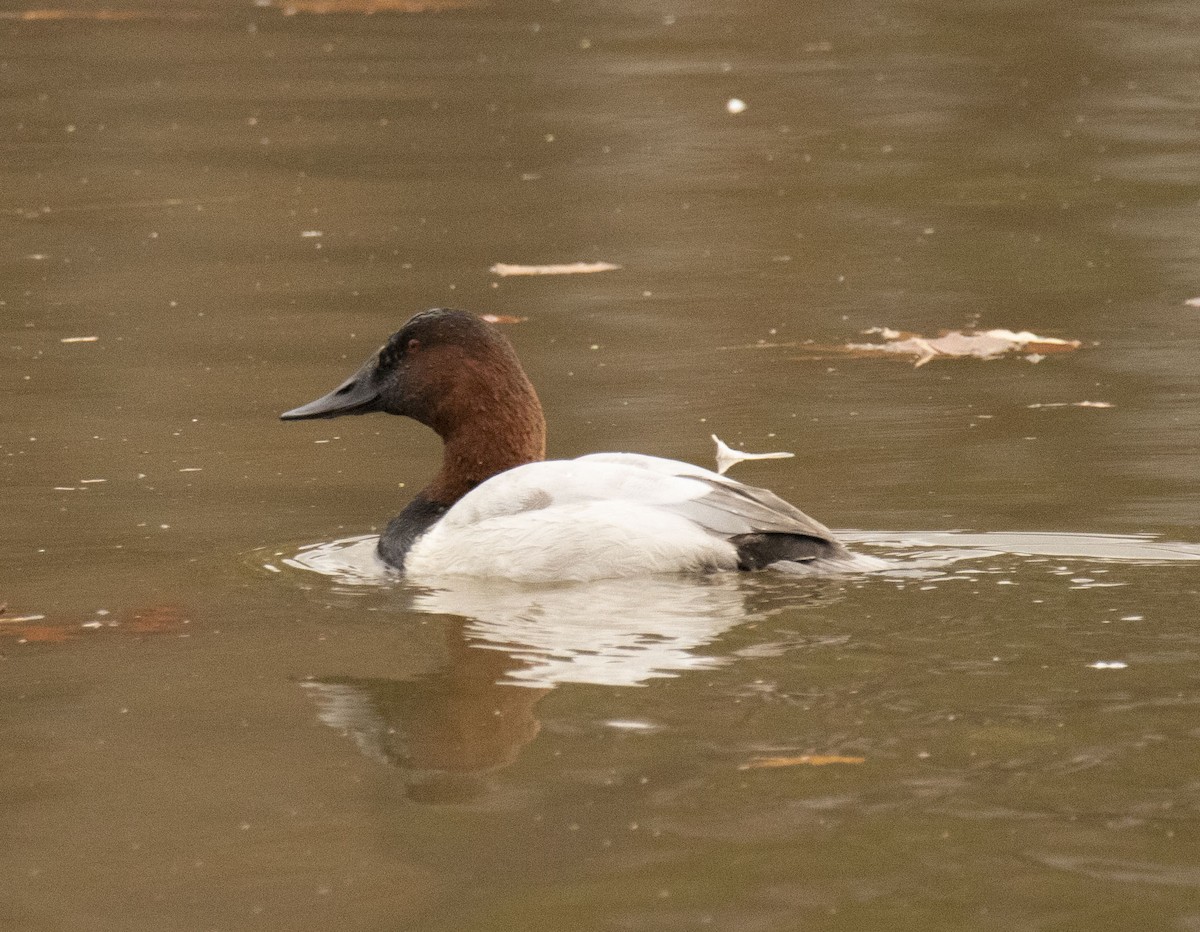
(499, 509)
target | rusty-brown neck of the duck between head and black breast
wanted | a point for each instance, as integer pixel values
(491, 442)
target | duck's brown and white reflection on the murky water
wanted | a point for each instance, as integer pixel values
(508, 646)
